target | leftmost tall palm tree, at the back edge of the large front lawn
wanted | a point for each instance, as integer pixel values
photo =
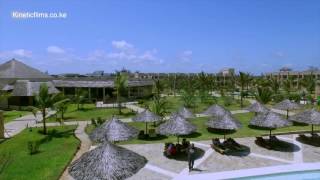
(43, 101)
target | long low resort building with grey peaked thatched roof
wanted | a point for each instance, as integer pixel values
(23, 82)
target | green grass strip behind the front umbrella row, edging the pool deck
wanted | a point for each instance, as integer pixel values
(204, 134)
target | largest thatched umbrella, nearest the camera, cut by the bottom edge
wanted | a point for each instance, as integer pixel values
(107, 161)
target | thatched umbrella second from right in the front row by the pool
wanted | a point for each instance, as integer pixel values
(269, 120)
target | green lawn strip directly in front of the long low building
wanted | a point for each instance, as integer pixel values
(90, 111)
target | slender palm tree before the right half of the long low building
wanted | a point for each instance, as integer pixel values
(120, 84)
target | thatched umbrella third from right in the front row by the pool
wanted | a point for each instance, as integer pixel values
(226, 123)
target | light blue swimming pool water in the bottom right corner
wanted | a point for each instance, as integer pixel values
(300, 175)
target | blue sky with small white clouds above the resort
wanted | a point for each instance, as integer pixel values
(255, 36)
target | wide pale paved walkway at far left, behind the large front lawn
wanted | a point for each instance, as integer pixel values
(16, 126)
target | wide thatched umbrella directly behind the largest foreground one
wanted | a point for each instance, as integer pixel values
(114, 130)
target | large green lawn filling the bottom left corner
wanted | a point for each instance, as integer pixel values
(56, 151)
